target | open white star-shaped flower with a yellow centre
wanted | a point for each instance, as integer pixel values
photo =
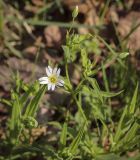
(52, 78)
